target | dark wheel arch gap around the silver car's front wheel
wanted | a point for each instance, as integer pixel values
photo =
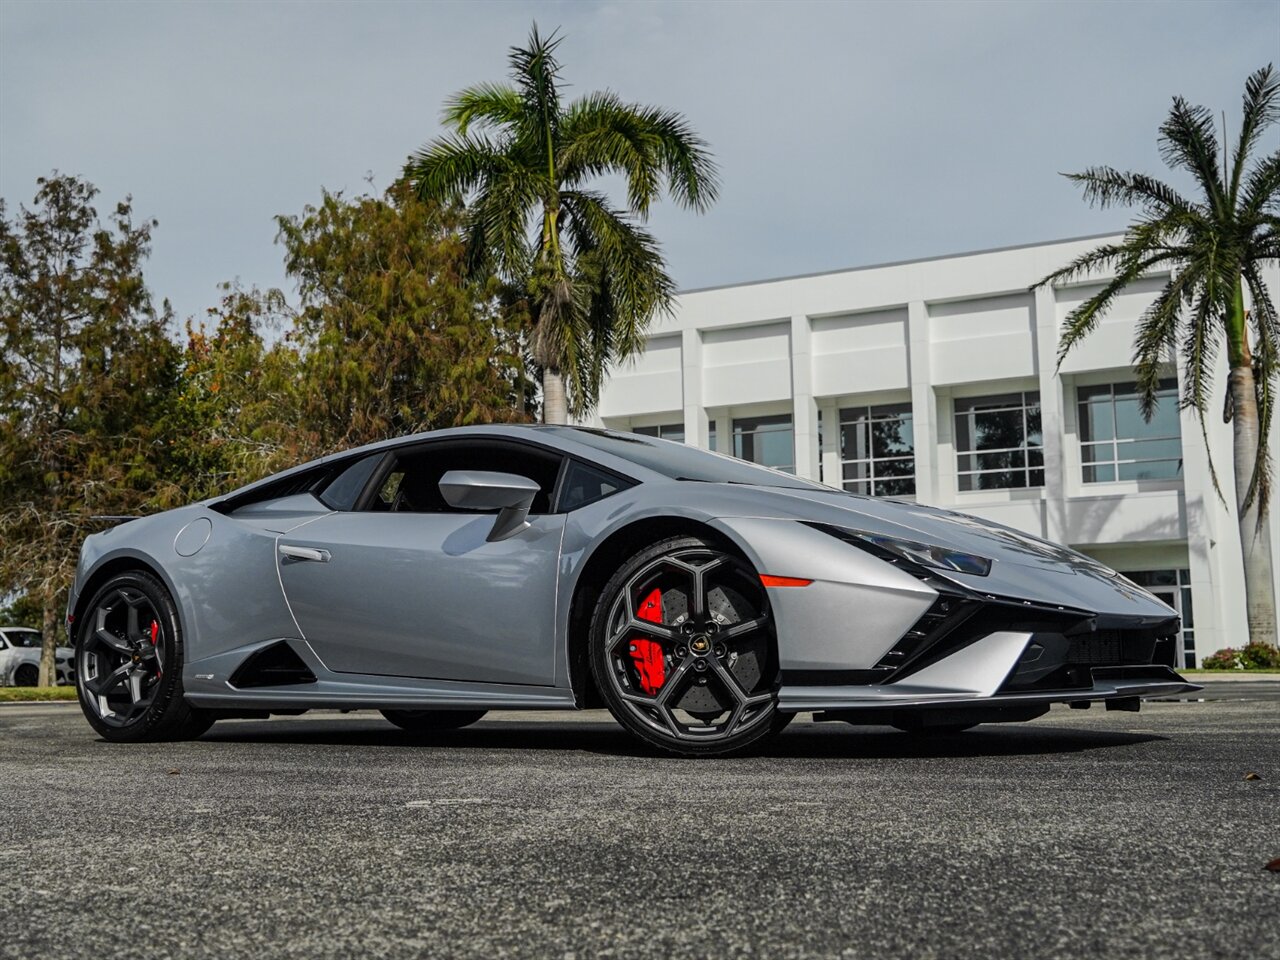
(601, 565)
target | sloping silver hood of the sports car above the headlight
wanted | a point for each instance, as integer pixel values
(1023, 566)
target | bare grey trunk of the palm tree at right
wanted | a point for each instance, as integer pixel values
(1255, 529)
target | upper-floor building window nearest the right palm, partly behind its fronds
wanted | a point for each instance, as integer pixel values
(1118, 445)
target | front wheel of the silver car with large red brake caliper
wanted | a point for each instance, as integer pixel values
(717, 693)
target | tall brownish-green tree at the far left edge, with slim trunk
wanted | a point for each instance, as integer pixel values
(85, 373)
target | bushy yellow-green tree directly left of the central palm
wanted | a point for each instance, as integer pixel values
(394, 336)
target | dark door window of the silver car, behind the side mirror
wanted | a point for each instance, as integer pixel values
(414, 483)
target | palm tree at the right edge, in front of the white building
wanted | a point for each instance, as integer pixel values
(1214, 250)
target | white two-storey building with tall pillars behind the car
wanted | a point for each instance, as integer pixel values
(938, 380)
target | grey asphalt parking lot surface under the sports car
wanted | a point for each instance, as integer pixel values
(1084, 834)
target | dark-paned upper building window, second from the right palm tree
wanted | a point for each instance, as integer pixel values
(999, 442)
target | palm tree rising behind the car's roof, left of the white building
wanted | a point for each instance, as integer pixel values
(523, 162)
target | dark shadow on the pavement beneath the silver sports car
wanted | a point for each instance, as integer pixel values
(799, 742)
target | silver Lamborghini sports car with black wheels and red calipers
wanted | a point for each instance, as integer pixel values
(705, 601)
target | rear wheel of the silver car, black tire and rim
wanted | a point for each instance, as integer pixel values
(112, 642)
